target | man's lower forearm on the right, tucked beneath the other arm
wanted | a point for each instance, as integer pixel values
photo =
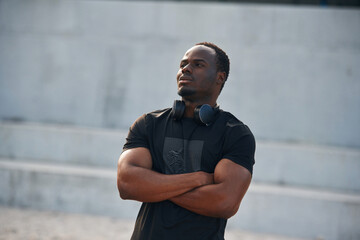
(210, 200)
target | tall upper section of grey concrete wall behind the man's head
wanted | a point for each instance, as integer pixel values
(294, 71)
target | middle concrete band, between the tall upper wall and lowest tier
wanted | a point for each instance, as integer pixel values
(283, 163)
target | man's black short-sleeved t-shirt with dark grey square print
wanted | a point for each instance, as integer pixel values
(184, 146)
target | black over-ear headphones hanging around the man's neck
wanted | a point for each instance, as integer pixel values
(203, 114)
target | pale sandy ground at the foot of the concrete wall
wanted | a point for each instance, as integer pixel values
(30, 224)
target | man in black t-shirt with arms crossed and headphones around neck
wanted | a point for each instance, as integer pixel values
(190, 165)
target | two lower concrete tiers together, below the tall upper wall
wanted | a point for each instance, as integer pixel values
(297, 190)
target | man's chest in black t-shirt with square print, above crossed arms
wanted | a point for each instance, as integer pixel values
(184, 146)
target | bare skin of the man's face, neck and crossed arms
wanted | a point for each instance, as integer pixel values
(217, 194)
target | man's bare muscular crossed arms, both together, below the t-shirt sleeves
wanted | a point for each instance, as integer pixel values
(214, 195)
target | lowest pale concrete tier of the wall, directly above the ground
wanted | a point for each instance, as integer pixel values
(276, 209)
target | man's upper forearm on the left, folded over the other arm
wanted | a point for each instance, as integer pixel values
(145, 185)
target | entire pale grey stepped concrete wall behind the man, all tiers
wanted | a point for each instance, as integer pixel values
(74, 75)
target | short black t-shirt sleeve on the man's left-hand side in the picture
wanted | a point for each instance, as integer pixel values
(137, 136)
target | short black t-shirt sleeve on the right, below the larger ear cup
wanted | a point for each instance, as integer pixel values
(239, 147)
